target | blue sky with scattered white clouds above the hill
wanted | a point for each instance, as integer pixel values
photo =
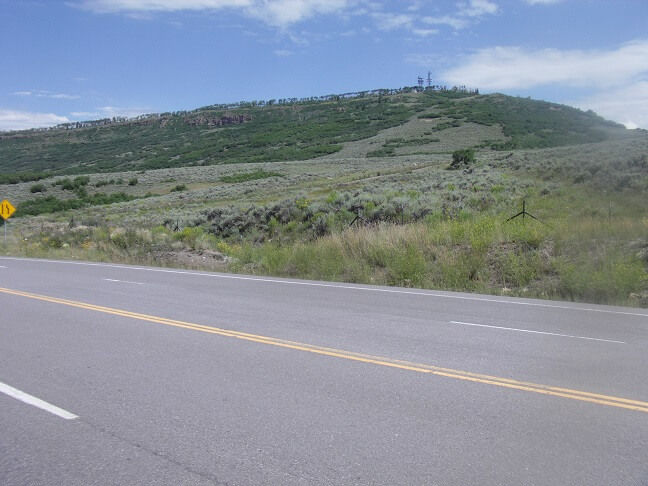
(70, 60)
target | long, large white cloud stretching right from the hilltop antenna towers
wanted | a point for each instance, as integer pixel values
(512, 67)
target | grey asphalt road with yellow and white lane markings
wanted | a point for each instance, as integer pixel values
(182, 377)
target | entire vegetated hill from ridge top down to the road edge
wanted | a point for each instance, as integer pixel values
(349, 187)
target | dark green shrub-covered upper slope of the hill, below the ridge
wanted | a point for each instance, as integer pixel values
(288, 130)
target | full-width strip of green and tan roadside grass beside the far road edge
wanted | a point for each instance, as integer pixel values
(579, 257)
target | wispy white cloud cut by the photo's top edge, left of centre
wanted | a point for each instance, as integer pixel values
(278, 13)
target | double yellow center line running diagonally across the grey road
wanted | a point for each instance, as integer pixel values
(364, 358)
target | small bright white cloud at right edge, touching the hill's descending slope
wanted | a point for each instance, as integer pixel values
(627, 105)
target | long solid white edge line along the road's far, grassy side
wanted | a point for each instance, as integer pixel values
(314, 284)
